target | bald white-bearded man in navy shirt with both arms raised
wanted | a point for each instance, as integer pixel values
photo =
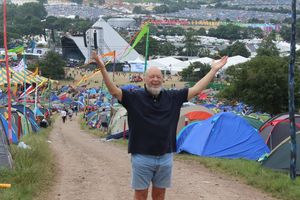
(153, 115)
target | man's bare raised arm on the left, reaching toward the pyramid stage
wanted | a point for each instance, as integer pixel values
(112, 88)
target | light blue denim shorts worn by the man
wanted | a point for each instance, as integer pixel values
(148, 168)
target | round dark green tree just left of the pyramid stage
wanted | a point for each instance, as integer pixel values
(52, 66)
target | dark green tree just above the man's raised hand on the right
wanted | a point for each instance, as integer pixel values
(238, 48)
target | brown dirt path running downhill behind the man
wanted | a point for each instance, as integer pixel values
(91, 169)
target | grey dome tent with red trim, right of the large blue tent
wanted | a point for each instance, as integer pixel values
(277, 129)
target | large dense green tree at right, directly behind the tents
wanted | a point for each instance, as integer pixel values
(262, 83)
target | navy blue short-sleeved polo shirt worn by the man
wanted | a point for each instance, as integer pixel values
(153, 120)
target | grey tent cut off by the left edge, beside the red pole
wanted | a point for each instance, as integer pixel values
(5, 156)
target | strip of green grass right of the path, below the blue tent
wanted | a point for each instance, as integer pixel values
(277, 184)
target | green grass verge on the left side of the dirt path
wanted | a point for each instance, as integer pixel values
(33, 169)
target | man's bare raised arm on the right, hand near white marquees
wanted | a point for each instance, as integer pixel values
(201, 84)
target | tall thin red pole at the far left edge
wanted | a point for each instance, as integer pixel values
(7, 73)
